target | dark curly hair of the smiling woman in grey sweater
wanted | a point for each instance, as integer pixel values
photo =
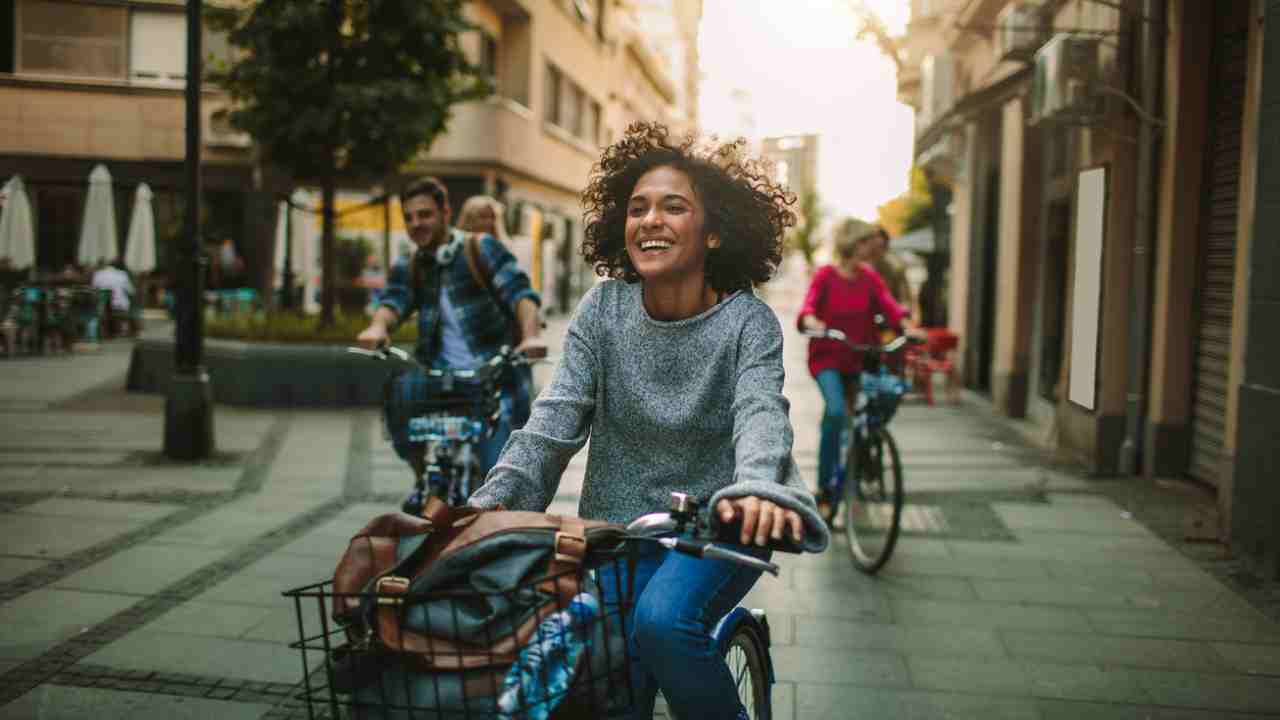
(746, 208)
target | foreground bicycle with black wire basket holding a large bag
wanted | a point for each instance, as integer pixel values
(387, 689)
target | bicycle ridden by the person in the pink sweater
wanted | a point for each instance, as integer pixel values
(871, 487)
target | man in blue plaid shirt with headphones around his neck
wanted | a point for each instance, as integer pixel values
(460, 323)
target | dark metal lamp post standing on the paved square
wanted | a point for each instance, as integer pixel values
(189, 413)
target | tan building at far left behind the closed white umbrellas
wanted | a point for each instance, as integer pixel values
(84, 84)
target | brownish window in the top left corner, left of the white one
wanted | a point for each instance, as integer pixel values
(86, 42)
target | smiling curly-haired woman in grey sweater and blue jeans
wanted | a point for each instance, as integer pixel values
(674, 370)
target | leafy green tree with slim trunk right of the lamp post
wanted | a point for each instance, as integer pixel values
(345, 89)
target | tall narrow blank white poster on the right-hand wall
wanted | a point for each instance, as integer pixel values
(1091, 207)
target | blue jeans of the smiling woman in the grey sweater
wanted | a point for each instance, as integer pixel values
(679, 601)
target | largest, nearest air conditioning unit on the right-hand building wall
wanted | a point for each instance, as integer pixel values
(1064, 83)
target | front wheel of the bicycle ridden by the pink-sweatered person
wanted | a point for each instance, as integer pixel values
(874, 499)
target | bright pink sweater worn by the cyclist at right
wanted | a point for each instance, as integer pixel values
(848, 306)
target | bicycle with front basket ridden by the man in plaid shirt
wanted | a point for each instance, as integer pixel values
(458, 409)
